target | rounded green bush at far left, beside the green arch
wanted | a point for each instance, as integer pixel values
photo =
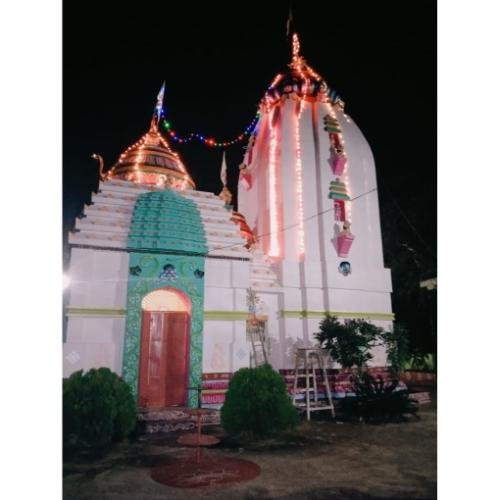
(98, 408)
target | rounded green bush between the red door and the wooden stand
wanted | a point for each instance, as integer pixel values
(257, 404)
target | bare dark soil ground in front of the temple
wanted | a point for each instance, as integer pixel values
(319, 460)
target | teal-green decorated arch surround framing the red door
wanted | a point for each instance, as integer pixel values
(167, 249)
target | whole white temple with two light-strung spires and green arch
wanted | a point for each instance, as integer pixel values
(169, 285)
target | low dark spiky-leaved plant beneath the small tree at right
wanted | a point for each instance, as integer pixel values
(378, 402)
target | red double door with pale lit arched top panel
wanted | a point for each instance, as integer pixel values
(164, 356)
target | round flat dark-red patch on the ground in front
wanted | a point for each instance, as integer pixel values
(210, 471)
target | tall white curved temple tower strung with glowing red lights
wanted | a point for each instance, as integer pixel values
(307, 176)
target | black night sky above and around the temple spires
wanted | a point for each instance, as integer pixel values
(217, 59)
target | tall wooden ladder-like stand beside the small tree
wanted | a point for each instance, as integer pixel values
(311, 358)
